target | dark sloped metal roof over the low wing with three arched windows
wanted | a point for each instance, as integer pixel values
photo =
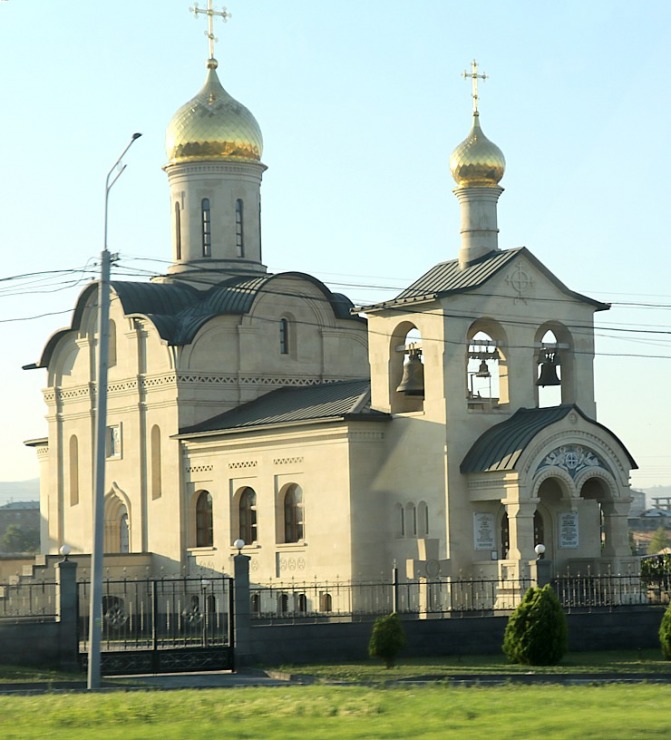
(342, 400)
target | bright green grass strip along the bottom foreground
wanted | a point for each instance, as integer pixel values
(316, 712)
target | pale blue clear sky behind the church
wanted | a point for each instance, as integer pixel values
(360, 104)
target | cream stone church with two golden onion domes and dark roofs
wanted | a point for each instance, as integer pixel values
(451, 429)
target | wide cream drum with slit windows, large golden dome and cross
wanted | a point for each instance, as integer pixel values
(214, 147)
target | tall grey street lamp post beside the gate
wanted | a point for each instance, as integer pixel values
(95, 612)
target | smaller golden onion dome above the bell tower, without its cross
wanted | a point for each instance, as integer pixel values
(477, 162)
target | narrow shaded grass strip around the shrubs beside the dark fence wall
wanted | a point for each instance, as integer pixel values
(640, 662)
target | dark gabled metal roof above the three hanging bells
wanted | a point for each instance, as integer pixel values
(448, 278)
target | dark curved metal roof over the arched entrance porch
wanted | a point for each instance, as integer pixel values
(501, 447)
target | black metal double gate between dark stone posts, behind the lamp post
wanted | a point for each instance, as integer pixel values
(161, 625)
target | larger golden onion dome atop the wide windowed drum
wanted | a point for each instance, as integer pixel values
(213, 126)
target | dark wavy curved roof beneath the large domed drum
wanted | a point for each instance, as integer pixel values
(179, 310)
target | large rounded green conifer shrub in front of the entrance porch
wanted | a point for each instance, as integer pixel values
(536, 633)
